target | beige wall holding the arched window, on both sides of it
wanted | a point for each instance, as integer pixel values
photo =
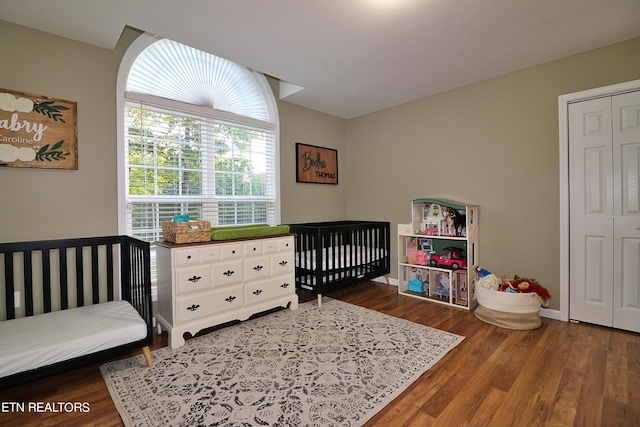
(50, 204)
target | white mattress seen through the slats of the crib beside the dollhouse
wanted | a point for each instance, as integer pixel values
(342, 256)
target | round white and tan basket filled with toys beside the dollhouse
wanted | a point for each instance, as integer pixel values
(510, 310)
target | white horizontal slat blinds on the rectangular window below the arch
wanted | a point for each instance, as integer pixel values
(182, 163)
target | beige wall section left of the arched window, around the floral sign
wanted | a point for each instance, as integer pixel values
(41, 203)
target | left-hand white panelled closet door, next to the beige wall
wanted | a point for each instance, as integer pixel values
(591, 212)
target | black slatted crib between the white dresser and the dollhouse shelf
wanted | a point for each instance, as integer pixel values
(334, 254)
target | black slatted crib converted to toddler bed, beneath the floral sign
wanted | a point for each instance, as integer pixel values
(47, 278)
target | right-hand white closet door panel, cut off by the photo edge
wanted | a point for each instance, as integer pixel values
(626, 161)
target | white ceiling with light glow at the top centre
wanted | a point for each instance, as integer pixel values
(353, 57)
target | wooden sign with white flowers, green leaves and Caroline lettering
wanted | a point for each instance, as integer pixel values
(37, 131)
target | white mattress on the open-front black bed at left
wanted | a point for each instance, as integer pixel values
(36, 341)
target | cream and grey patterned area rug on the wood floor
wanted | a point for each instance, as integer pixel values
(335, 366)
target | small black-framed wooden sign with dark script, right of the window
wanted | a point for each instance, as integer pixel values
(316, 164)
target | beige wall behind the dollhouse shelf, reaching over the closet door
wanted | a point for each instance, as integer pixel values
(494, 143)
